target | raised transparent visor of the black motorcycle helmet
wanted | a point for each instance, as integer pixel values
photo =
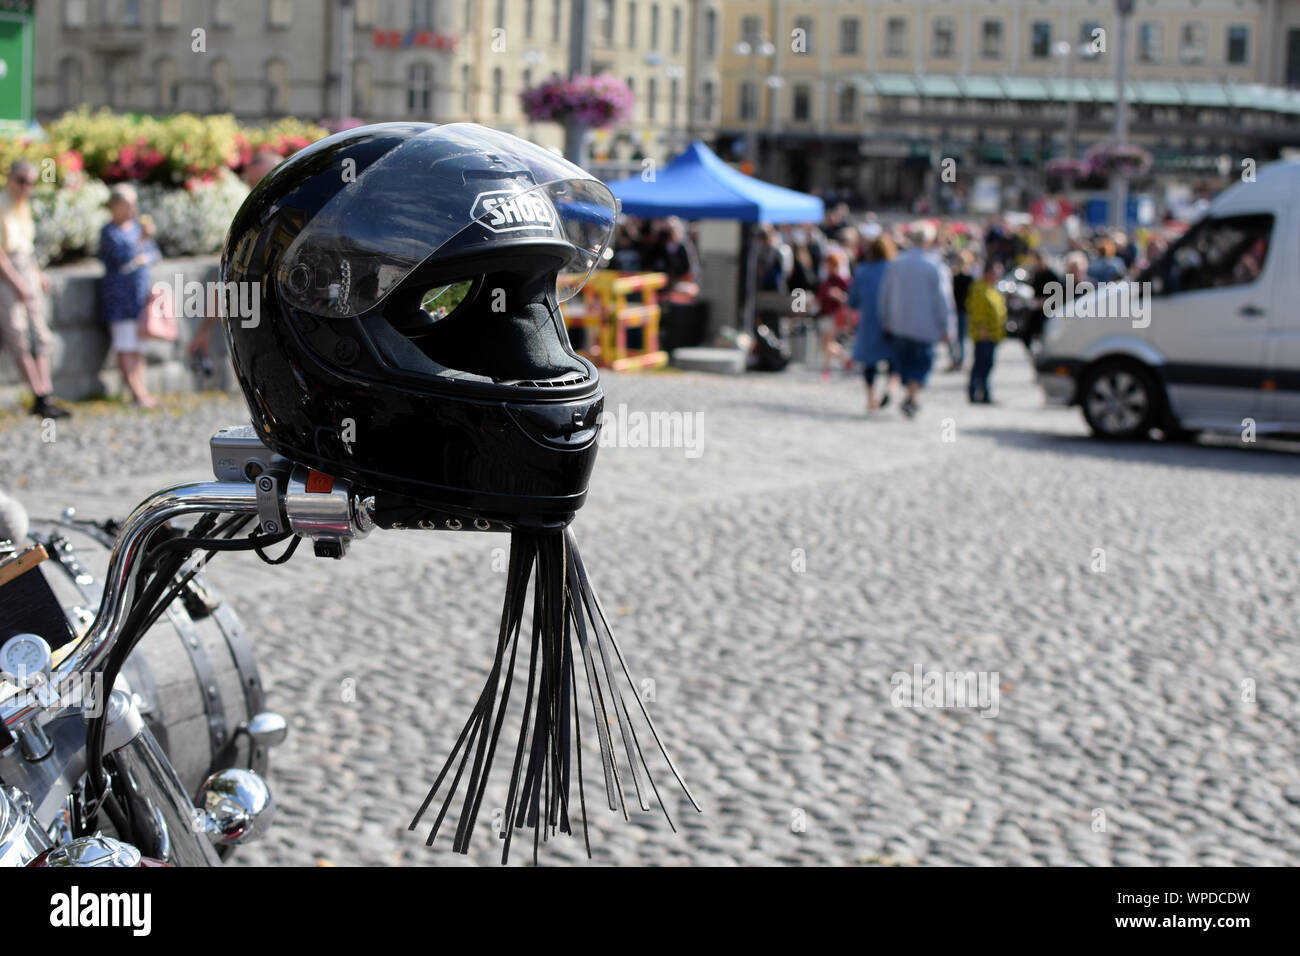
(461, 180)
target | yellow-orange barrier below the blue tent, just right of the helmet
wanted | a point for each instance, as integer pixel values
(606, 315)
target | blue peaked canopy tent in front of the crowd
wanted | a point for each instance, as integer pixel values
(699, 185)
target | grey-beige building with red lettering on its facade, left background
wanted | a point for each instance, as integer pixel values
(427, 60)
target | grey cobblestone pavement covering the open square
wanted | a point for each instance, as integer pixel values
(1136, 609)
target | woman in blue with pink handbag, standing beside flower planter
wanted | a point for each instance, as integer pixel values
(127, 249)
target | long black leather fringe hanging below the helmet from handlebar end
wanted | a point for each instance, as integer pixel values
(566, 611)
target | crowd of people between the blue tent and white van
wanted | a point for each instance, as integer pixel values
(904, 293)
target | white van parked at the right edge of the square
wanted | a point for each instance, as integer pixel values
(1210, 336)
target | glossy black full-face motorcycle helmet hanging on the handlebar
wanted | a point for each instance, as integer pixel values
(392, 302)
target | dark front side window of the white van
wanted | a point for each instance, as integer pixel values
(1214, 254)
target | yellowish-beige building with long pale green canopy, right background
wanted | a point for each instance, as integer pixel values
(869, 98)
